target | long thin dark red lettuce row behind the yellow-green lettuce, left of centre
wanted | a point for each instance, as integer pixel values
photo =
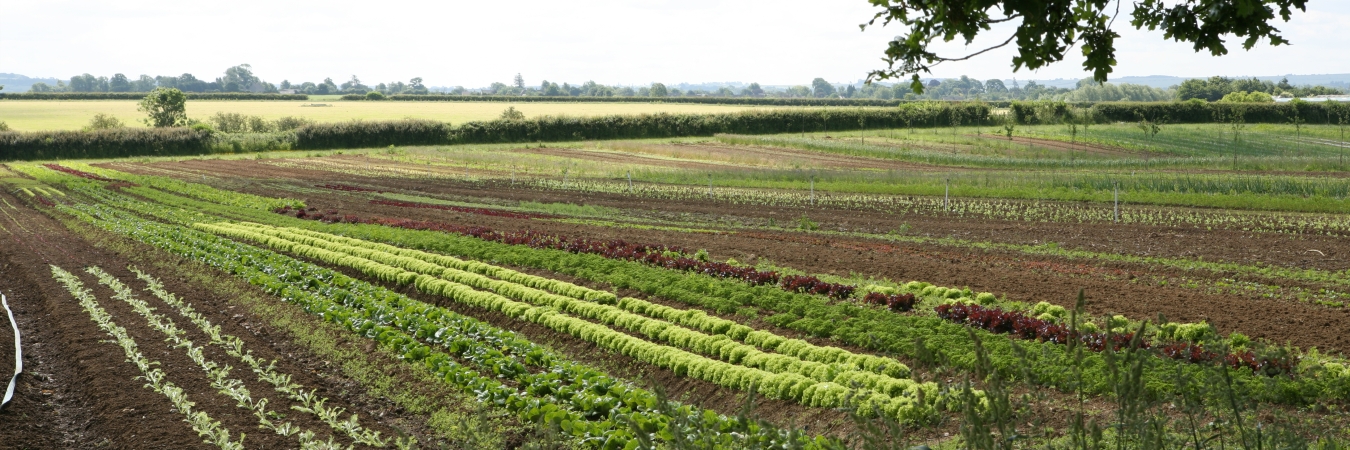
(654, 255)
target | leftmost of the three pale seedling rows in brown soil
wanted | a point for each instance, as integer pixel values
(202, 424)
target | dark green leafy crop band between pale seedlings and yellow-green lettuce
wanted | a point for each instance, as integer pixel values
(585, 403)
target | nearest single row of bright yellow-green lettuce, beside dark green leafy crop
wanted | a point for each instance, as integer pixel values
(915, 403)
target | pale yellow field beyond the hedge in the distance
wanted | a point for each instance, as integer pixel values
(38, 116)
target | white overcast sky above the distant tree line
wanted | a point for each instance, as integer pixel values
(475, 44)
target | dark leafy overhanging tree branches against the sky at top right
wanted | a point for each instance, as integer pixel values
(1048, 29)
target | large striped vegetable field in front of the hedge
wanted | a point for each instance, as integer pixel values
(1059, 289)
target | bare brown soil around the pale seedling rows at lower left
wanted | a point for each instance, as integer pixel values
(79, 393)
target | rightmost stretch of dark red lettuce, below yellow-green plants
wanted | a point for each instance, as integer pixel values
(1031, 328)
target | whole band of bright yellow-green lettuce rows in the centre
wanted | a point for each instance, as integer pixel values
(746, 368)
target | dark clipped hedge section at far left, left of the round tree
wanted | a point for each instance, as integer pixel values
(103, 144)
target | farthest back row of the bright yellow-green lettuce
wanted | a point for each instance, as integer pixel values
(599, 303)
